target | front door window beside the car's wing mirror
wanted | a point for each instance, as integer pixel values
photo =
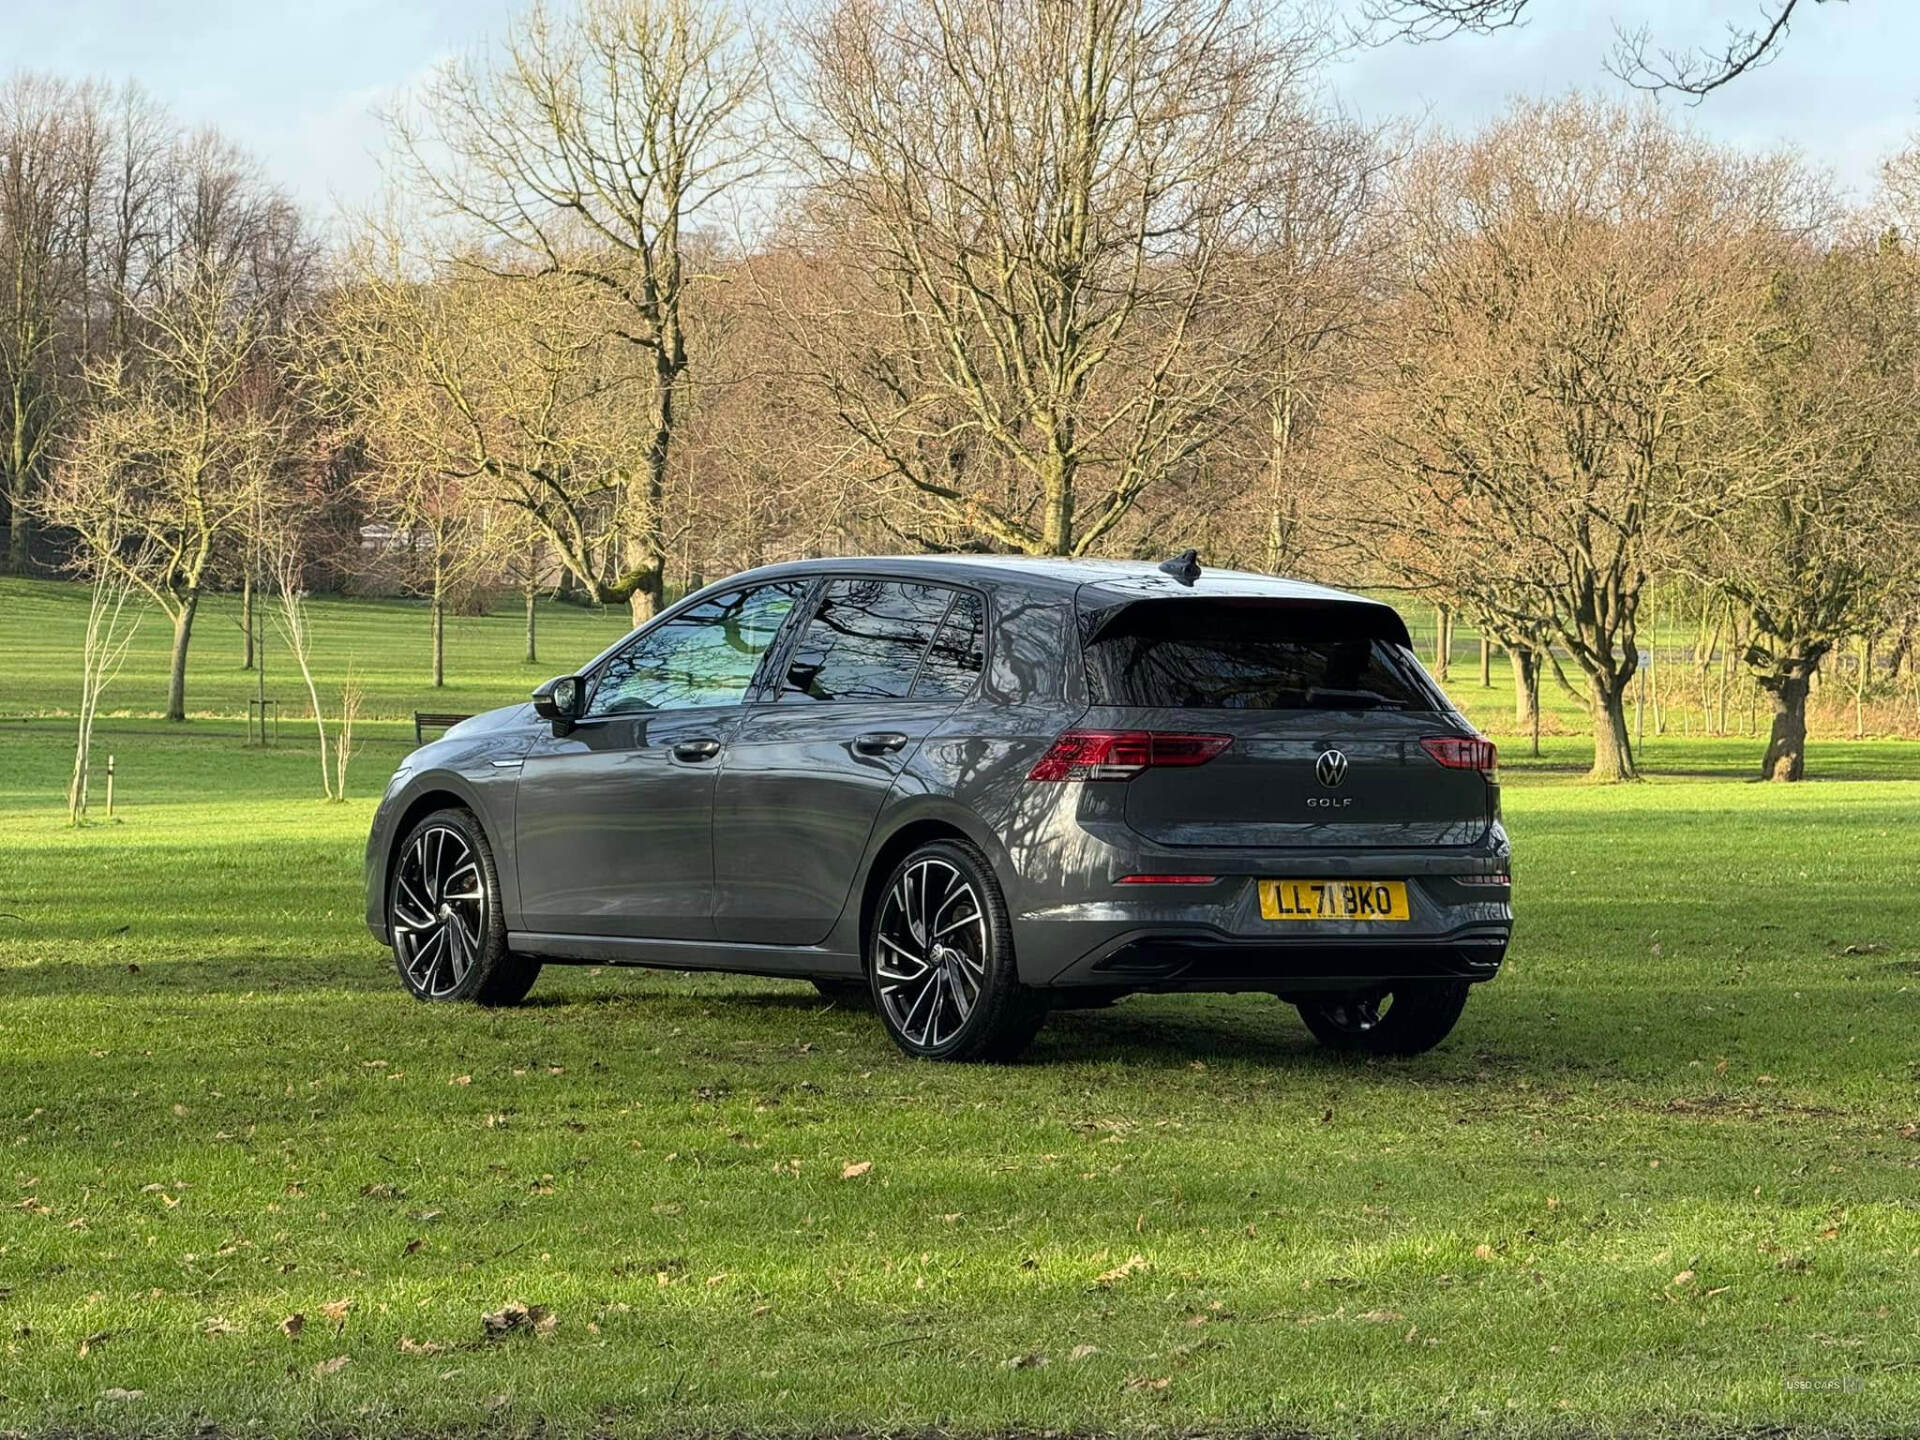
(700, 660)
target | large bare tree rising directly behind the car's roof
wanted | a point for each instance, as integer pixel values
(1051, 216)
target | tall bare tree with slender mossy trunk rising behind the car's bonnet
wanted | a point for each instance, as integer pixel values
(588, 149)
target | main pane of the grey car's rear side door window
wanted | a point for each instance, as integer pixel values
(867, 640)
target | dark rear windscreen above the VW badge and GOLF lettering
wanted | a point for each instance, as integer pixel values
(1251, 656)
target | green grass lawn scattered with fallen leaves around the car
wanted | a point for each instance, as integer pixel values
(1666, 1170)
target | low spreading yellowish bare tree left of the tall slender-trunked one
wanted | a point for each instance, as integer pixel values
(477, 395)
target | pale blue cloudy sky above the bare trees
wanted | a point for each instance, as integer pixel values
(300, 82)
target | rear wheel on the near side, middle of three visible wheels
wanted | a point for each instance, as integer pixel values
(942, 959)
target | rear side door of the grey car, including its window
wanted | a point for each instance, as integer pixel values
(871, 673)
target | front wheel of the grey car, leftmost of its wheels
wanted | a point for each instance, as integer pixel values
(446, 921)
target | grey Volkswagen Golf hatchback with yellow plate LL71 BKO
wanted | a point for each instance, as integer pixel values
(969, 792)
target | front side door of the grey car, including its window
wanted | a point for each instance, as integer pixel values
(613, 830)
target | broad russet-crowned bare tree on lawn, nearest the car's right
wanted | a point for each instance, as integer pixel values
(1583, 279)
